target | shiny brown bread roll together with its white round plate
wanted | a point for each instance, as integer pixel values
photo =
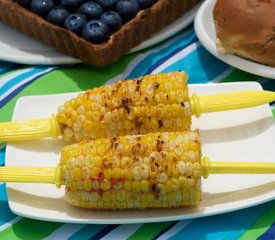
(240, 33)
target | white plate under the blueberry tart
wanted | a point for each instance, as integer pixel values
(20, 48)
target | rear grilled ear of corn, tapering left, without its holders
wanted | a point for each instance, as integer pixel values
(151, 103)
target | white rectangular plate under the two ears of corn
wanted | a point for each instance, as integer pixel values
(238, 135)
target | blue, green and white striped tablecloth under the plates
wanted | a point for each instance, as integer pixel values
(181, 52)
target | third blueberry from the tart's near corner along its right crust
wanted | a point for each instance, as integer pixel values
(127, 9)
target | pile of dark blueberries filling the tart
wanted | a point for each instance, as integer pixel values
(94, 20)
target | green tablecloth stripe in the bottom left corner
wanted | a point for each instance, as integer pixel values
(29, 229)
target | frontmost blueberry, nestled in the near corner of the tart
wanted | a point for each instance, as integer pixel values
(95, 31)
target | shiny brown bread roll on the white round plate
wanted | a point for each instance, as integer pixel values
(246, 28)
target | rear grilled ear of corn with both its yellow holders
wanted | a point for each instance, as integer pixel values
(131, 107)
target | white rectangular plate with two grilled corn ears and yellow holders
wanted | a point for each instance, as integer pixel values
(136, 161)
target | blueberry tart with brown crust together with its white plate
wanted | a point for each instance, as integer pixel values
(92, 32)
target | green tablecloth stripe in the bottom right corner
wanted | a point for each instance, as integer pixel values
(261, 225)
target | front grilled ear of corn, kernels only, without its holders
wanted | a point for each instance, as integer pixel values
(134, 172)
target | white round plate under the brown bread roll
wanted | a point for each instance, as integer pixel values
(205, 30)
